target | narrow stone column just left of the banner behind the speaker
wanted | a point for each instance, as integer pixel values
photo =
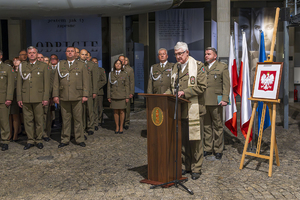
(144, 39)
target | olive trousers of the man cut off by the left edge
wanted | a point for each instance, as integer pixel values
(4, 123)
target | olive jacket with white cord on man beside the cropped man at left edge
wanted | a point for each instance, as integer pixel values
(36, 87)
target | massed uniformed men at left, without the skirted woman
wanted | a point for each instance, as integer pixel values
(33, 86)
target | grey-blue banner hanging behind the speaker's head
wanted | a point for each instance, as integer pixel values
(186, 25)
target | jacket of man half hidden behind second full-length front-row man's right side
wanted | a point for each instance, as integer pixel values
(93, 74)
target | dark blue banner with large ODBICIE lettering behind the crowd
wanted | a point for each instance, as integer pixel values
(53, 36)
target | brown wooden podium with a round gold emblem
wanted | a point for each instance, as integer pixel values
(161, 138)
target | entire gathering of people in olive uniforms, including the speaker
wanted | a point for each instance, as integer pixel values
(76, 86)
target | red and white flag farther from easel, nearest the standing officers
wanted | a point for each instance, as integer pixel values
(230, 110)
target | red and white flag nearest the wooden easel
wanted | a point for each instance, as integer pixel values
(244, 90)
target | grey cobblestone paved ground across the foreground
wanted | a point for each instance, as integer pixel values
(111, 166)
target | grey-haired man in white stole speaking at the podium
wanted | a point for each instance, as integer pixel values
(192, 85)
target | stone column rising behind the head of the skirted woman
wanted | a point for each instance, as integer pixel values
(117, 37)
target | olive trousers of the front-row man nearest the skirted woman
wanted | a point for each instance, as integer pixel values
(71, 109)
